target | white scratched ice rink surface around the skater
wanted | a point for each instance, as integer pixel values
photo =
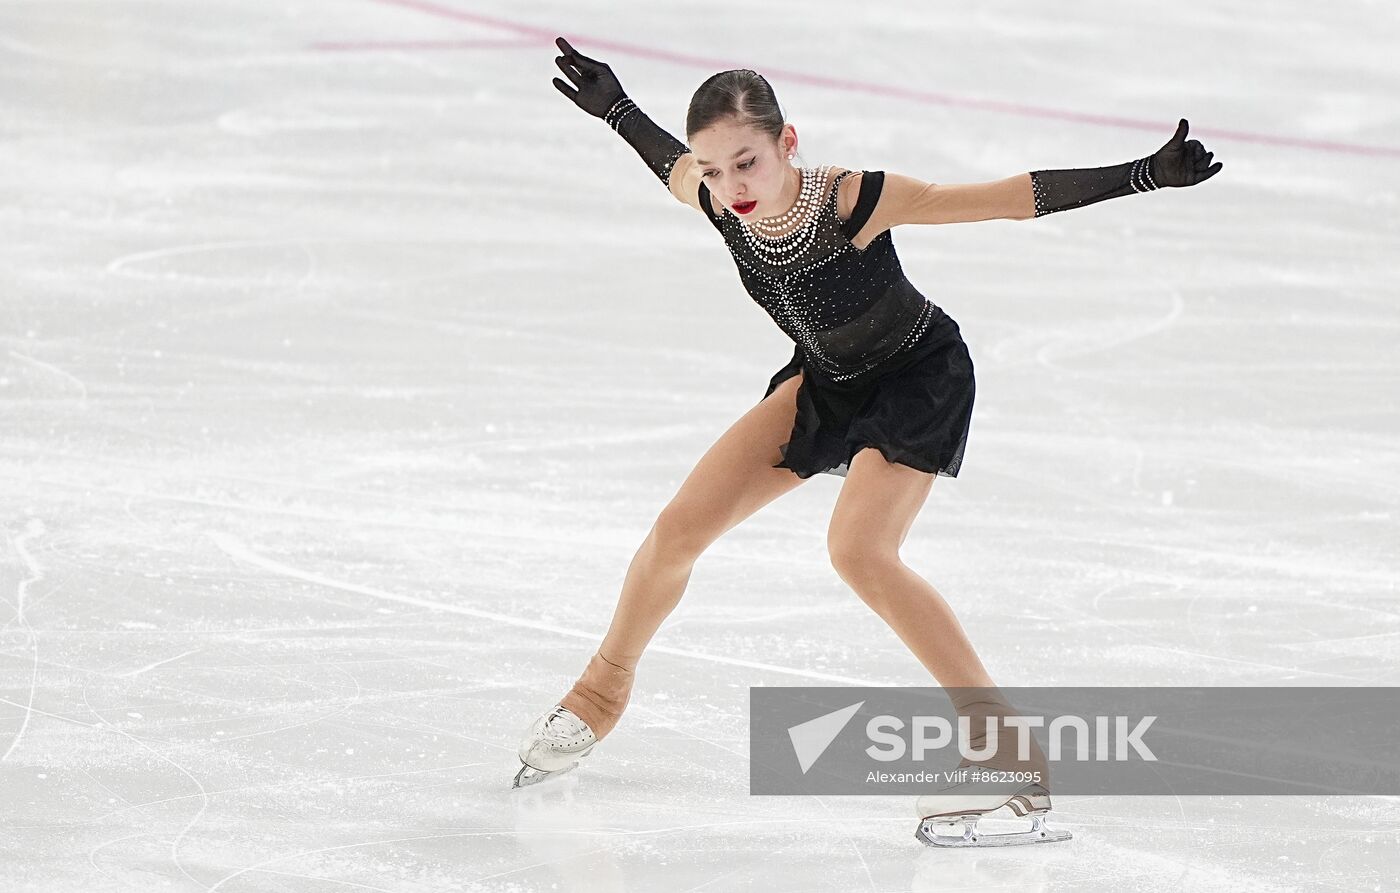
(346, 365)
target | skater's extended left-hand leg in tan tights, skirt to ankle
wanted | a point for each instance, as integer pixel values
(733, 479)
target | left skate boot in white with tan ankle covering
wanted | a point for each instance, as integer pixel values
(569, 733)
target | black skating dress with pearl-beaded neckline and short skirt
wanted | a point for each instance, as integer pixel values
(883, 366)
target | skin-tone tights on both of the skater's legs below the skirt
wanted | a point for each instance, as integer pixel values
(736, 478)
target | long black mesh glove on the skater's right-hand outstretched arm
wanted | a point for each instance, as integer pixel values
(1179, 163)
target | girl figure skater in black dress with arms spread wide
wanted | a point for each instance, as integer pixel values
(880, 391)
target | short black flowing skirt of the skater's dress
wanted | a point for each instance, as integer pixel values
(916, 409)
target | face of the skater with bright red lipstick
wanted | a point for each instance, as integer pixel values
(744, 166)
